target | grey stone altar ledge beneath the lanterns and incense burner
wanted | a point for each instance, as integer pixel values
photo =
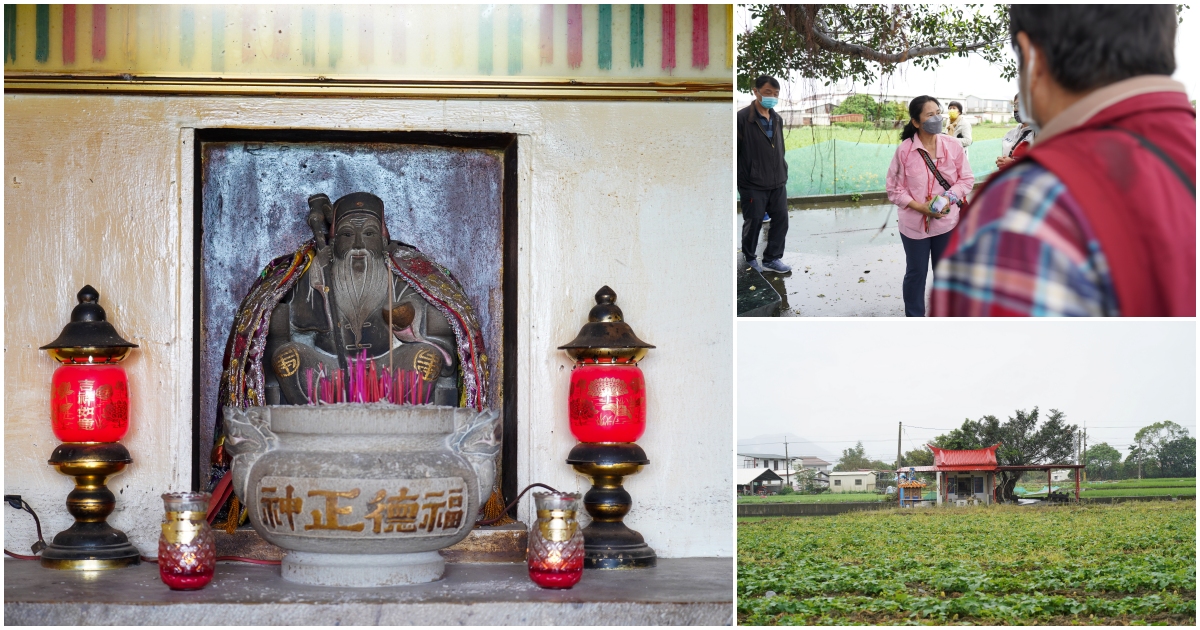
(677, 592)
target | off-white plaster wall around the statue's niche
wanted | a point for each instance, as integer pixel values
(633, 195)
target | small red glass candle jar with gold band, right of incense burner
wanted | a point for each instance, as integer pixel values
(556, 543)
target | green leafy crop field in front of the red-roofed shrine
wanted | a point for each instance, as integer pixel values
(1130, 563)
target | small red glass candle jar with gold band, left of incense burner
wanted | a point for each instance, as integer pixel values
(188, 550)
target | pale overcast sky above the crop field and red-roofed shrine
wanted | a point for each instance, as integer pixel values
(838, 382)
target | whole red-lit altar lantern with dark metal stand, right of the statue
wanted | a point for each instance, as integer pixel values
(607, 352)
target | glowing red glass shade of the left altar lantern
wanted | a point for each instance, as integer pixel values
(89, 403)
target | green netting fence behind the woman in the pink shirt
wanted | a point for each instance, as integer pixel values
(839, 167)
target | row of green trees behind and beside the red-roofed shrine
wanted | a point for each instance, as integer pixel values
(1030, 439)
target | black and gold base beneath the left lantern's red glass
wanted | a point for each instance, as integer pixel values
(91, 544)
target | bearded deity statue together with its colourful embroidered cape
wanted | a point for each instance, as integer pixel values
(353, 316)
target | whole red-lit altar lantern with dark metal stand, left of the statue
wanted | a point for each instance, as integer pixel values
(88, 350)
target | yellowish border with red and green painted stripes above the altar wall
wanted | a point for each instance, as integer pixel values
(423, 51)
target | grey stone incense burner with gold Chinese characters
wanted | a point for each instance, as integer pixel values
(363, 495)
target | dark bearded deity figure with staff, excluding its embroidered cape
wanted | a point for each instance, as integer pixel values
(353, 331)
